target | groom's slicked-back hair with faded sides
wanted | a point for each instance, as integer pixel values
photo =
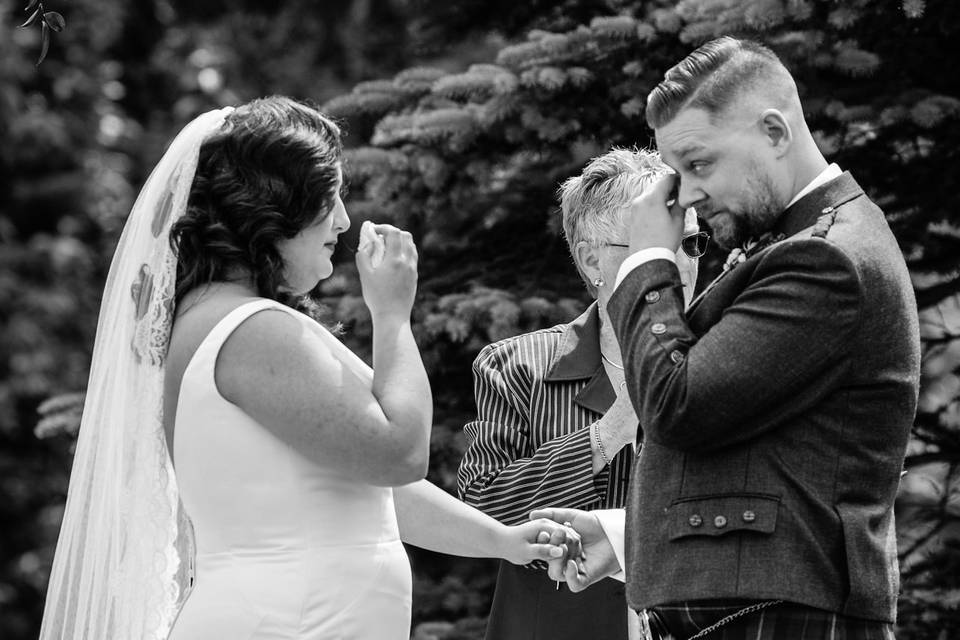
(715, 75)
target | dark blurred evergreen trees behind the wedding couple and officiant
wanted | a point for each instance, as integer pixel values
(462, 117)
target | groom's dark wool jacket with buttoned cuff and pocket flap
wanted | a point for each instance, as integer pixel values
(776, 414)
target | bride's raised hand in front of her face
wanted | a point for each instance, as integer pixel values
(389, 288)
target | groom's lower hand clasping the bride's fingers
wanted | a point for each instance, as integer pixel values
(597, 560)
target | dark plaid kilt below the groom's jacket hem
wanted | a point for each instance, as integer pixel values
(783, 621)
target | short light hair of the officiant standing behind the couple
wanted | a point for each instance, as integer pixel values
(594, 204)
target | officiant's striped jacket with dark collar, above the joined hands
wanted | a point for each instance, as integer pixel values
(537, 395)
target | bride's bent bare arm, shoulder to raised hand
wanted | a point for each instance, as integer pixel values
(287, 377)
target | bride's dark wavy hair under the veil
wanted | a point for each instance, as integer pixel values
(272, 170)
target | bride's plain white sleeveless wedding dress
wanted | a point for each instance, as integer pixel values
(286, 549)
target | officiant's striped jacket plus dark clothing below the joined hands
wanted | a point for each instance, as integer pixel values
(537, 395)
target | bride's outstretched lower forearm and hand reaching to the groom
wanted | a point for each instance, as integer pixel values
(431, 518)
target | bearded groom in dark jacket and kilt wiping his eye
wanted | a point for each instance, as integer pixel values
(776, 411)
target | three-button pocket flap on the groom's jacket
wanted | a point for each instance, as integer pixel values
(718, 515)
